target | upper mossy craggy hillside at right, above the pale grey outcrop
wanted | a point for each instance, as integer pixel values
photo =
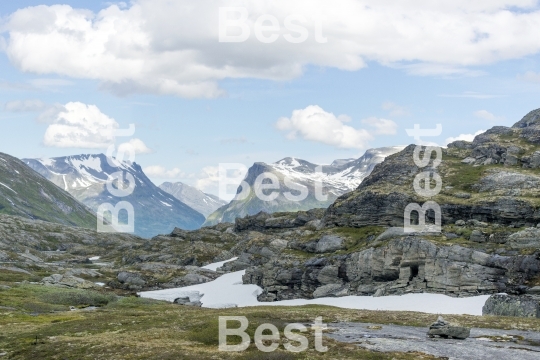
(493, 179)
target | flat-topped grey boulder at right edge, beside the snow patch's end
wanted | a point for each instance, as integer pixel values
(509, 305)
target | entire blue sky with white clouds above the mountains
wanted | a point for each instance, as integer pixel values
(311, 79)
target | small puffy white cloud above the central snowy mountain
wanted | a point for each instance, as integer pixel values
(315, 124)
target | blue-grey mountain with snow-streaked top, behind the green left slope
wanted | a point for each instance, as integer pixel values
(85, 177)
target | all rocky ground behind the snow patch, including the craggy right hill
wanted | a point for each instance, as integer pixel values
(489, 242)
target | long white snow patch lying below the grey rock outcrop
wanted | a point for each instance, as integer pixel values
(228, 291)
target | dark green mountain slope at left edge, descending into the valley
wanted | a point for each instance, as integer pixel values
(27, 194)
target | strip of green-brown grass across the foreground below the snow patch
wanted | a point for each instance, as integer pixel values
(137, 328)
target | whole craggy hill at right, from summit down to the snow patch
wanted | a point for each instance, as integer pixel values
(490, 208)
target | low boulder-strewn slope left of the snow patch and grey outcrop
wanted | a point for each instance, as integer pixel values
(54, 254)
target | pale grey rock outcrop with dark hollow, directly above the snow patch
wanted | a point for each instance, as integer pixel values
(403, 265)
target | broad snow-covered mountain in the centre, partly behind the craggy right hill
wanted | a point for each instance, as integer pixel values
(341, 176)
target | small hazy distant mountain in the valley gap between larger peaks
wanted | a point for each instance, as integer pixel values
(194, 198)
